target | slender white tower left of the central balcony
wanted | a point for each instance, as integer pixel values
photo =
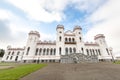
(60, 40)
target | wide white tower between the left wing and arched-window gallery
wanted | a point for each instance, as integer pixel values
(31, 45)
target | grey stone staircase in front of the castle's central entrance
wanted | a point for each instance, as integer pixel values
(78, 58)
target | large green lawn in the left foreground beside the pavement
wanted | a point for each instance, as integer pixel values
(19, 71)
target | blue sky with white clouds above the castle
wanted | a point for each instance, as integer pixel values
(19, 17)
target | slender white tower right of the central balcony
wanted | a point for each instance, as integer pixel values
(79, 39)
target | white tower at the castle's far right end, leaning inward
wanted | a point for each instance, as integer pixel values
(100, 39)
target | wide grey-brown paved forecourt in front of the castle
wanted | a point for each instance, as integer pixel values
(84, 71)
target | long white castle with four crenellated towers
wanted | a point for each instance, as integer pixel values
(67, 43)
